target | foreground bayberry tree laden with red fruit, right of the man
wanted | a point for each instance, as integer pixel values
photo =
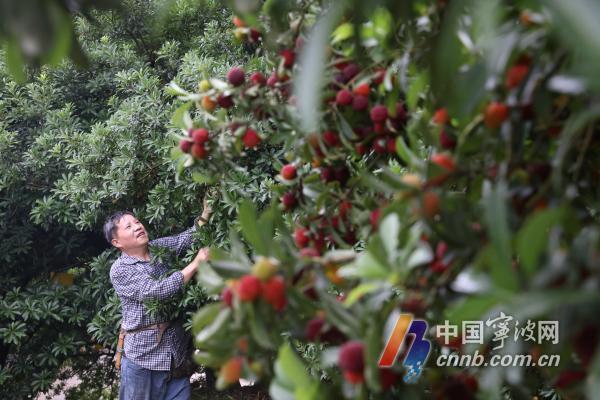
(434, 158)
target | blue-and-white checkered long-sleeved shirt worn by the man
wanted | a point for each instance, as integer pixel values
(136, 280)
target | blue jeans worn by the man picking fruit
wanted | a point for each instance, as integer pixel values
(138, 383)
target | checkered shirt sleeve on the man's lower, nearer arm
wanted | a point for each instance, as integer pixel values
(135, 283)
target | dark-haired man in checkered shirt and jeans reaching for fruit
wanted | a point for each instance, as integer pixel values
(155, 349)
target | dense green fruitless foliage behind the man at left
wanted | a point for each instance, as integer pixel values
(77, 144)
